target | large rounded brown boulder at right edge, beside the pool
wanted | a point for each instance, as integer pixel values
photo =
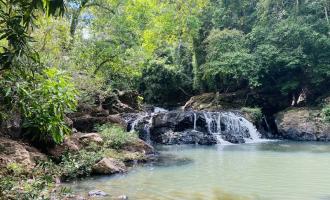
(303, 124)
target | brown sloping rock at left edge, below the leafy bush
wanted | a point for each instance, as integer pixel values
(16, 152)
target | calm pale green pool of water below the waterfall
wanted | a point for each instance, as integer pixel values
(274, 171)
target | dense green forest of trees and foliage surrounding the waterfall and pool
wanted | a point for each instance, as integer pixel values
(58, 54)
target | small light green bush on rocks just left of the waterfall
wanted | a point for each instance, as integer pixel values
(115, 136)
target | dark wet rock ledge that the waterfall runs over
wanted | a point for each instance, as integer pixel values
(188, 127)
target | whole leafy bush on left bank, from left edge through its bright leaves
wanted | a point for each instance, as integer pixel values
(43, 99)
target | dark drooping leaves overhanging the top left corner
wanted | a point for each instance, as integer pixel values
(16, 18)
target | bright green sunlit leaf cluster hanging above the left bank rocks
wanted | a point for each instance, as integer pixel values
(44, 106)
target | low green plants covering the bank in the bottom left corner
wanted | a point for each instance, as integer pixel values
(16, 182)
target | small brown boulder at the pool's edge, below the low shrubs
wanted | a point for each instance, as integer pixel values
(109, 166)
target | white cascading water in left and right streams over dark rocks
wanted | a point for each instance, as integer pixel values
(222, 125)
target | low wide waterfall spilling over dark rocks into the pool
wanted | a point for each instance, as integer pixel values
(224, 127)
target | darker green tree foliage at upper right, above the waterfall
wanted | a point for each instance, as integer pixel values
(267, 46)
